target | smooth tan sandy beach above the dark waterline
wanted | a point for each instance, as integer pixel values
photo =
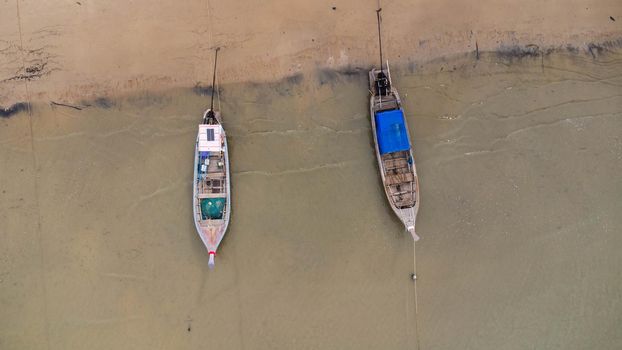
(69, 50)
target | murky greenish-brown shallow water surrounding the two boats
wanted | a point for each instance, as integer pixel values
(519, 163)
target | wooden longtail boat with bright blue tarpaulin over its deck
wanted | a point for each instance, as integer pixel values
(393, 147)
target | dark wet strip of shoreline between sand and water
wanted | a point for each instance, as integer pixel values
(100, 95)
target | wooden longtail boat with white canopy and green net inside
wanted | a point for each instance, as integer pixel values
(212, 187)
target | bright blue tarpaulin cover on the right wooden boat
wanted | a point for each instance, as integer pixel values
(391, 131)
